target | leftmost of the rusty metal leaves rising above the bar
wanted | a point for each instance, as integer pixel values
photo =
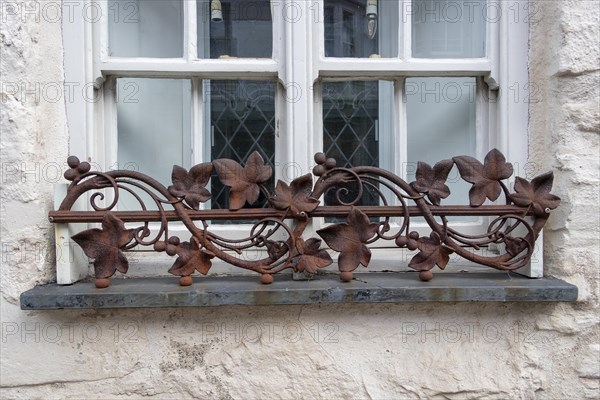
(190, 186)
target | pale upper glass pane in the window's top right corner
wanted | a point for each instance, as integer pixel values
(448, 28)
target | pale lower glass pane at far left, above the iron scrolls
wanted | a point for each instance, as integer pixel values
(153, 125)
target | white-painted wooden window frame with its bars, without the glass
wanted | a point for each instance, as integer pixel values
(299, 66)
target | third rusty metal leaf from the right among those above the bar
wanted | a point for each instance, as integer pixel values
(433, 180)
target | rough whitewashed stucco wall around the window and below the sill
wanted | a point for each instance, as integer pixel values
(446, 351)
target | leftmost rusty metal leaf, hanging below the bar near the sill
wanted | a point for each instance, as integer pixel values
(105, 246)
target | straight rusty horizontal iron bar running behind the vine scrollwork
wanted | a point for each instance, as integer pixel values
(260, 213)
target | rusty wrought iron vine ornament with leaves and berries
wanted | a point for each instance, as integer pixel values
(514, 230)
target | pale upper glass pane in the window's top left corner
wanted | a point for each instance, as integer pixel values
(139, 28)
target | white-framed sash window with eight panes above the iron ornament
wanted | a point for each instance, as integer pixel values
(383, 83)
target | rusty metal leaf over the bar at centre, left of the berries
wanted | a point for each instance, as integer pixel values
(296, 197)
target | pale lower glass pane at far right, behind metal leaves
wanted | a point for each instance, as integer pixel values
(441, 124)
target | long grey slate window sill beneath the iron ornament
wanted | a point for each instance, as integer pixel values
(247, 290)
